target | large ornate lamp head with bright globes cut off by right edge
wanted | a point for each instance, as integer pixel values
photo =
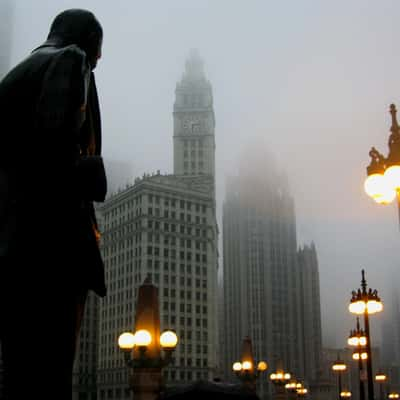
(383, 174)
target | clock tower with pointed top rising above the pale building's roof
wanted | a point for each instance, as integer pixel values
(194, 122)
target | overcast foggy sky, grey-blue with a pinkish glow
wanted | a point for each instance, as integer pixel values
(310, 80)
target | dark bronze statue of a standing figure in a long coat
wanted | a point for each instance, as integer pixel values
(50, 160)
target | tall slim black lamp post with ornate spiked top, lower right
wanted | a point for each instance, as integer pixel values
(365, 302)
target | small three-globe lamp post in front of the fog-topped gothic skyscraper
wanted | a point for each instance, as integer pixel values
(245, 369)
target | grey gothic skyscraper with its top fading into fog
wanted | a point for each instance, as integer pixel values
(270, 289)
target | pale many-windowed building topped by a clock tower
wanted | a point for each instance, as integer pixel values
(164, 226)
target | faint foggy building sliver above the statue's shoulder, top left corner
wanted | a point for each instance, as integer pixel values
(6, 24)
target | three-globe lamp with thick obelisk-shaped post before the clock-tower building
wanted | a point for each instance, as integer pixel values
(142, 349)
